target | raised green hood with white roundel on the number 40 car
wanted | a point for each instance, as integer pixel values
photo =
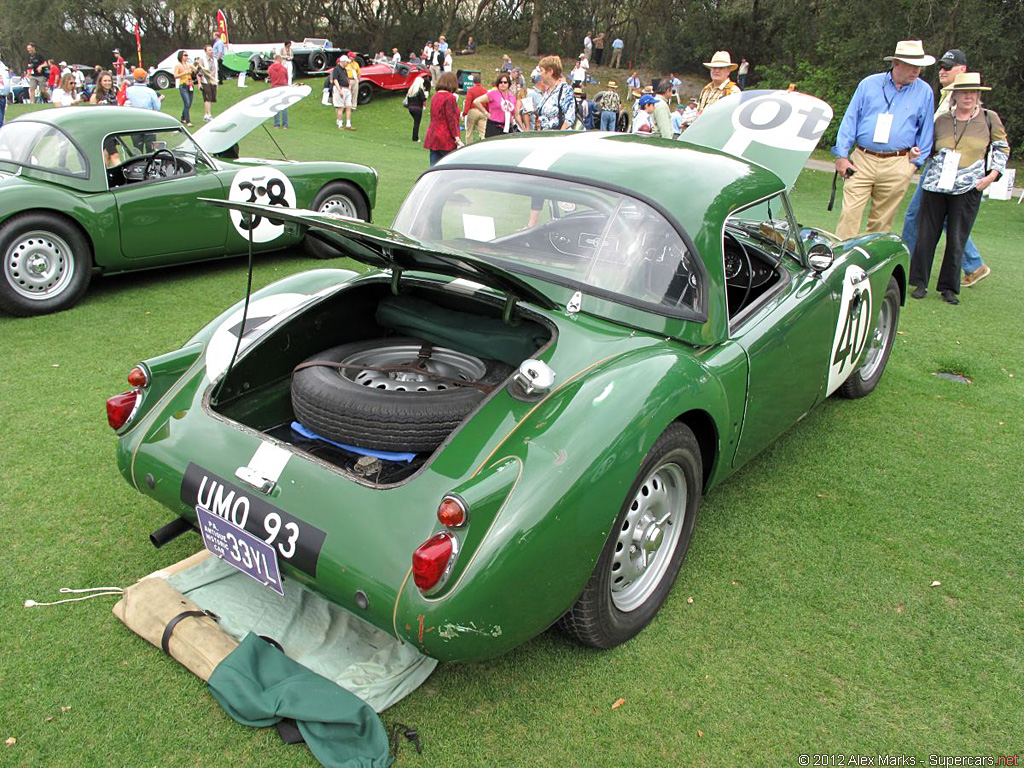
(776, 130)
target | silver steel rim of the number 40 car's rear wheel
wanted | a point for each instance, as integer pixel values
(649, 537)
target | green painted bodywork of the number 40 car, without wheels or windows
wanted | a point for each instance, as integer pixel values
(544, 479)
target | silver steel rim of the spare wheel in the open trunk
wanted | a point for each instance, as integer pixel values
(446, 363)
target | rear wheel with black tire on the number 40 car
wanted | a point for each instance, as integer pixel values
(601, 618)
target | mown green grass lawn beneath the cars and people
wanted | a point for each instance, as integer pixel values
(814, 626)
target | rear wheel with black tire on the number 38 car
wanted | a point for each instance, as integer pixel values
(48, 265)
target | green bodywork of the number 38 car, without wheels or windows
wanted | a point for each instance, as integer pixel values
(139, 226)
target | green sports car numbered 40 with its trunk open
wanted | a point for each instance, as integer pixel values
(511, 422)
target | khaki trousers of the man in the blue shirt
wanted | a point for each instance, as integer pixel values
(881, 181)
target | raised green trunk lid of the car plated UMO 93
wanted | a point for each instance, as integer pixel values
(388, 249)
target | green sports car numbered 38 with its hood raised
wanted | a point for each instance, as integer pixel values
(115, 190)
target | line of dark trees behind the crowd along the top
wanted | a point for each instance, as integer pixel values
(824, 47)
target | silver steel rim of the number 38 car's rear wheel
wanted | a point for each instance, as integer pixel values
(39, 266)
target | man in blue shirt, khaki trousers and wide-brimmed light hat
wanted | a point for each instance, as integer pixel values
(890, 121)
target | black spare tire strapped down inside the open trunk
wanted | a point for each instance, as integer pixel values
(332, 404)
